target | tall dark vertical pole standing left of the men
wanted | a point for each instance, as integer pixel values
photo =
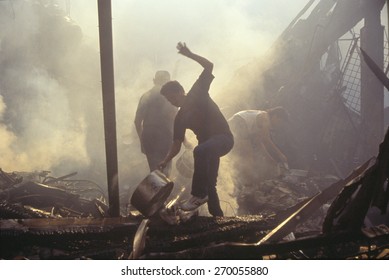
(108, 90)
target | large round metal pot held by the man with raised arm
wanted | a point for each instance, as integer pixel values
(150, 195)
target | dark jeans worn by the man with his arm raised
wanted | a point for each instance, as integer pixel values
(206, 166)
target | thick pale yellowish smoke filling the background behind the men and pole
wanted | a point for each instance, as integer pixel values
(50, 90)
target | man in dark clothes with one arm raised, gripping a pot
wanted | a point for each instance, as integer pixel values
(199, 113)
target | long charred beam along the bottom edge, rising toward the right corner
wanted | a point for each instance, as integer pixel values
(340, 245)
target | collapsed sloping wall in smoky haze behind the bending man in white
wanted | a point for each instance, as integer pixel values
(303, 72)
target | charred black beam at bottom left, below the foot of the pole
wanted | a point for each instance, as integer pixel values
(69, 238)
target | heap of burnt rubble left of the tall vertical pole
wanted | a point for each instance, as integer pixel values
(37, 195)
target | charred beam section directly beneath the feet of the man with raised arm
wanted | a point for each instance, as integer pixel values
(207, 230)
